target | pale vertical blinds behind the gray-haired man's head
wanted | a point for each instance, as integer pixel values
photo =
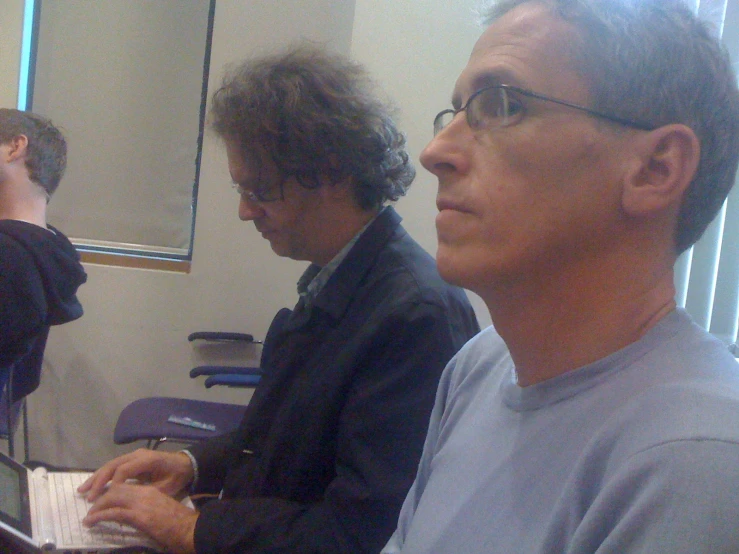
(707, 275)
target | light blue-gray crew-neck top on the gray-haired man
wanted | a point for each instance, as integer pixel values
(638, 452)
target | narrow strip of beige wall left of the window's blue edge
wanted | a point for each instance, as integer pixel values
(11, 28)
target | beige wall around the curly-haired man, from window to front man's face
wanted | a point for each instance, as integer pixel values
(131, 342)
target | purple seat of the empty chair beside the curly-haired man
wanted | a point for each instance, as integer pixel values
(147, 419)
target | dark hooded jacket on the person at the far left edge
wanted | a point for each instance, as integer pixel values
(39, 276)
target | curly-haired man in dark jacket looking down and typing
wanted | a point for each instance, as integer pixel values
(332, 436)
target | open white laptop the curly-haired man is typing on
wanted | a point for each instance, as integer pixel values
(42, 510)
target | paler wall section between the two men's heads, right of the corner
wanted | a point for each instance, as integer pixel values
(416, 49)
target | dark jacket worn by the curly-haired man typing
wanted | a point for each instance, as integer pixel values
(331, 439)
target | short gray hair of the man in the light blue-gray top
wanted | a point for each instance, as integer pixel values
(655, 61)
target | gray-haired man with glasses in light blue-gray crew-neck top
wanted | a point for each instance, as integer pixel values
(590, 143)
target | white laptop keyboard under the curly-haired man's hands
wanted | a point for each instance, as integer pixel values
(71, 508)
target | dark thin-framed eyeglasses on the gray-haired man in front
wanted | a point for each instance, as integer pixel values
(501, 106)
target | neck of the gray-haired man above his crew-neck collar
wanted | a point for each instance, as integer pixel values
(557, 325)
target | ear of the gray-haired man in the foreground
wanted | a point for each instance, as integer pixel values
(665, 164)
